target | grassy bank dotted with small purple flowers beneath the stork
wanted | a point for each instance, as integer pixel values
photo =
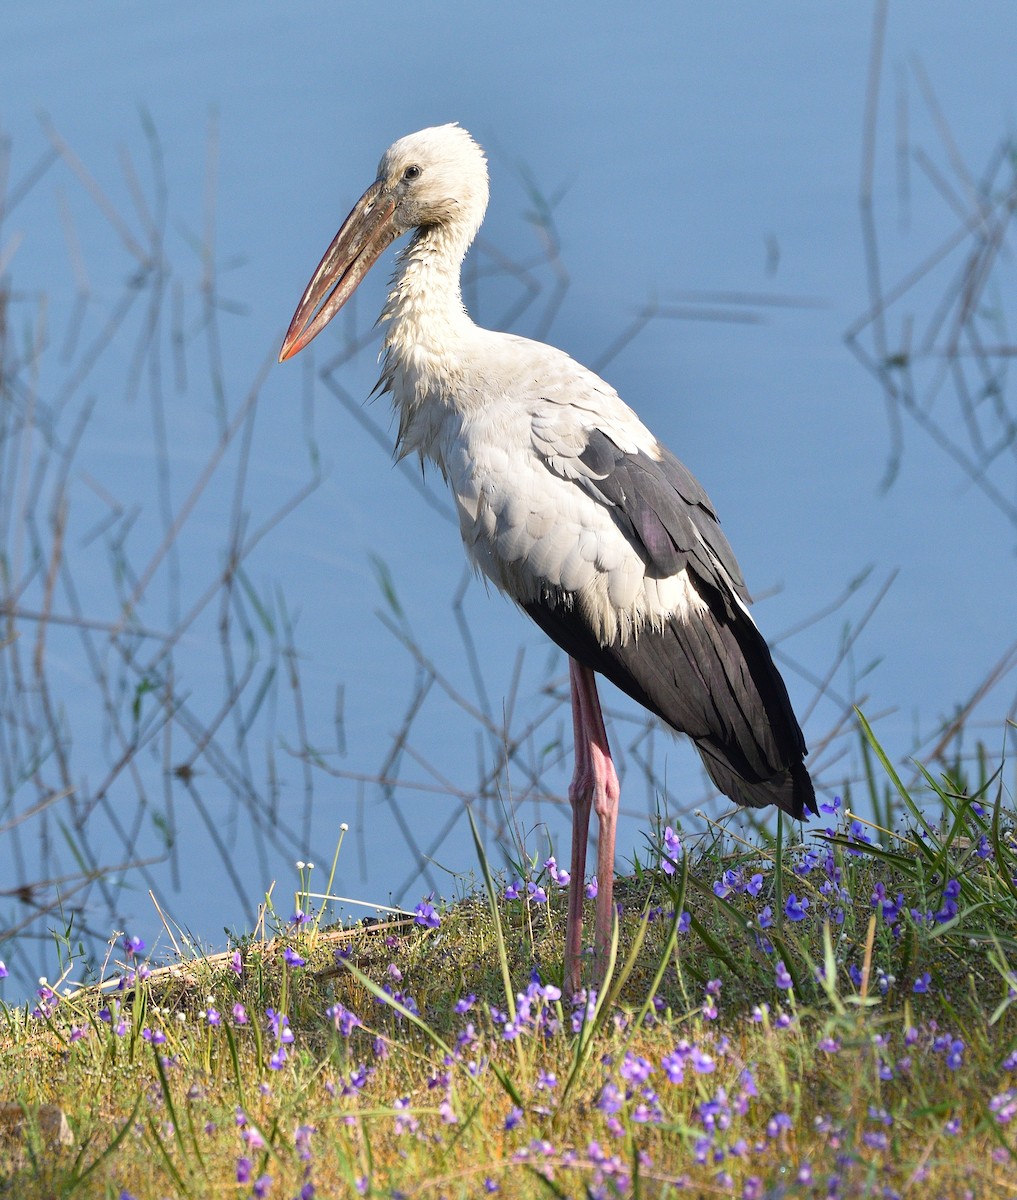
(823, 1019)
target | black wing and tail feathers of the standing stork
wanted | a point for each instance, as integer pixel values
(711, 676)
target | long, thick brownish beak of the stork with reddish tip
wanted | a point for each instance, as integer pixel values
(365, 235)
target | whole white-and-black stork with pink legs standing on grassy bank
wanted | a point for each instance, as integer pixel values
(569, 505)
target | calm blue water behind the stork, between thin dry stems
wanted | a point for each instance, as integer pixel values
(691, 149)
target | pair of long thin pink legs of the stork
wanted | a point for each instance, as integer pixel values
(594, 785)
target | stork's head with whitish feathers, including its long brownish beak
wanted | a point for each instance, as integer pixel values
(436, 178)
